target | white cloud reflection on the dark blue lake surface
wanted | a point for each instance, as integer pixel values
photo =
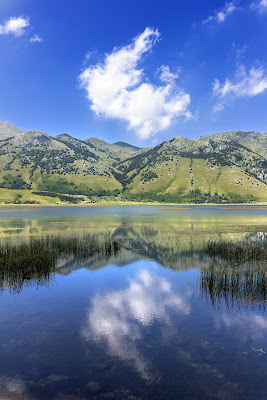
(120, 317)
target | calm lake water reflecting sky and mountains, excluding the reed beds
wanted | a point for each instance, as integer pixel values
(160, 320)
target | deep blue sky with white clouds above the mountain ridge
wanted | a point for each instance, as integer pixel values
(134, 71)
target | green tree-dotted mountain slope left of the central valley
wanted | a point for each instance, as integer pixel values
(62, 165)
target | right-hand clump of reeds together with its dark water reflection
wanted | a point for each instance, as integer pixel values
(238, 275)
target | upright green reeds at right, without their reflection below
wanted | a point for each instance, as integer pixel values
(241, 251)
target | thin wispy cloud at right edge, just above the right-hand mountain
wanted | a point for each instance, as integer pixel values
(244, 84)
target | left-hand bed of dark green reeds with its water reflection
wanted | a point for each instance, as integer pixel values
(34, 262)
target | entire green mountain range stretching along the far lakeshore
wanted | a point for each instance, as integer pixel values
(221, 168)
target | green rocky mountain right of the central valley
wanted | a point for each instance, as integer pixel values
(217, 168)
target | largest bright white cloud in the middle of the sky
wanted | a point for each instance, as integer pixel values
(117, 89)
